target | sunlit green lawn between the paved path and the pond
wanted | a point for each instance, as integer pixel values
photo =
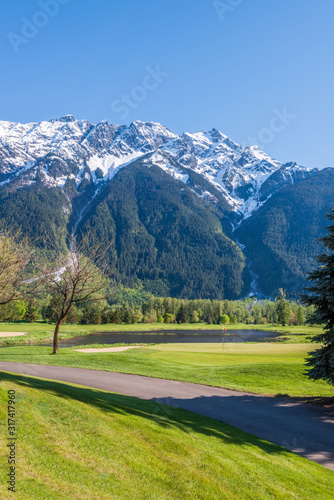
(263, 368)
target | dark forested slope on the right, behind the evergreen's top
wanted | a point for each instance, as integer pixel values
(282, 237)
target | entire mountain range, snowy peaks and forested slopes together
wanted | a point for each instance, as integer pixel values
(193, 216)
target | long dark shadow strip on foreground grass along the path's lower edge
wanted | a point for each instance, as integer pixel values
(154, 411)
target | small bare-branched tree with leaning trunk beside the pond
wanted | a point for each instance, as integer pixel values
(78, 274)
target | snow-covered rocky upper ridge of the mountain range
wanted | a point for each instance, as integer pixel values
(56, 151)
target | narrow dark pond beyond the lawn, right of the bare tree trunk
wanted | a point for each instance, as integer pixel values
(170, 336)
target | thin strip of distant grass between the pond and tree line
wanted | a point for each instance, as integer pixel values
(43, 332)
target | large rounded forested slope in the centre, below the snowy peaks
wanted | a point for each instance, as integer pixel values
(166, 236)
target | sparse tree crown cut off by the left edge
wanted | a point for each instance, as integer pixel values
(15, 256)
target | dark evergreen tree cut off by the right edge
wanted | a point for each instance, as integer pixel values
(321, 361)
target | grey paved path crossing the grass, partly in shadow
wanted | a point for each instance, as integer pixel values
(305, 429)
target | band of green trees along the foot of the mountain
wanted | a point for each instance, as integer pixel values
(125, 305)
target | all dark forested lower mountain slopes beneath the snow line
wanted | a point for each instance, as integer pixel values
(175, 240)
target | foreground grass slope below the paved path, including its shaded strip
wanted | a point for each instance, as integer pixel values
(79, 443)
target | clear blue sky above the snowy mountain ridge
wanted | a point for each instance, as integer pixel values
(229, 70)
